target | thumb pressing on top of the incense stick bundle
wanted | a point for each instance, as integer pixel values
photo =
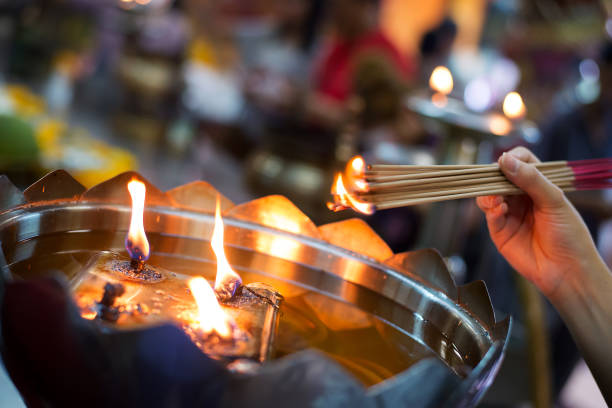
(528, 178)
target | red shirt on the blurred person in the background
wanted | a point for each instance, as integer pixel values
(335, 73)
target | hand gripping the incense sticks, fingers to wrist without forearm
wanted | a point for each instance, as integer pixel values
(540, 233)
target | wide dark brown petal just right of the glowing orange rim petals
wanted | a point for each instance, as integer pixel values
(429, 266)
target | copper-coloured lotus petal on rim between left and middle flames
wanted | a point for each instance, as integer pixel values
(200, 196)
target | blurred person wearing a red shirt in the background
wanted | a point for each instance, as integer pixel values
(353, 47)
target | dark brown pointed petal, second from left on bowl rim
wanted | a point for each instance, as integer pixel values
(54, 186)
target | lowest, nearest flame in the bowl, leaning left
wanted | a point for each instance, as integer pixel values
(210, 316)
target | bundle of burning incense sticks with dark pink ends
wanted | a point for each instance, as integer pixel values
(376, 187)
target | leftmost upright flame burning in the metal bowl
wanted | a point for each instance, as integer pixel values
(136, 241)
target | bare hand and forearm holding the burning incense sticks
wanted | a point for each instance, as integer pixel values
(544, 238)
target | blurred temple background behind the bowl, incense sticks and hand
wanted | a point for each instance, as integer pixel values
(265, 97)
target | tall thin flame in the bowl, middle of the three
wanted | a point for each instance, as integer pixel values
(227, 280)
